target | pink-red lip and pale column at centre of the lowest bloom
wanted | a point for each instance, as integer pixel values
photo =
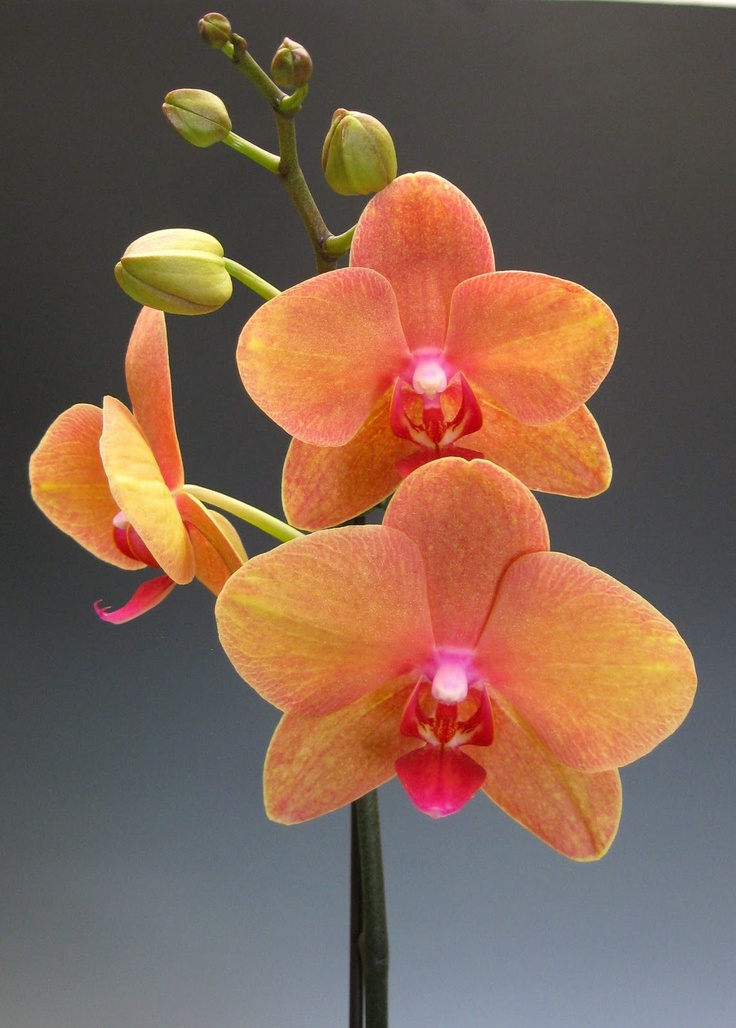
(448, 713)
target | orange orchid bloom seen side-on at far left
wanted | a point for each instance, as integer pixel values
(113, 480)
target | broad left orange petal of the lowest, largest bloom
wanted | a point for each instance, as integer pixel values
(325, 619)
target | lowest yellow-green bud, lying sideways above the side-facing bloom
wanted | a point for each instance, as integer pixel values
(179, 271)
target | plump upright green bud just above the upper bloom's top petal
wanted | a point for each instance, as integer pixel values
(358, 157)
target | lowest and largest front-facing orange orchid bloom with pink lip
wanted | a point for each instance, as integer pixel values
(451, 647)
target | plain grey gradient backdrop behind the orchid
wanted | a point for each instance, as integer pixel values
(142, 886)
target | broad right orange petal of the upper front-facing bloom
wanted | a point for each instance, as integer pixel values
(539, 347)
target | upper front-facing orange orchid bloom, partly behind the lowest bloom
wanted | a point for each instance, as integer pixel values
(421, 350)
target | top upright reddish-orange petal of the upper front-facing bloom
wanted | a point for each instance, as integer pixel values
(425, 237)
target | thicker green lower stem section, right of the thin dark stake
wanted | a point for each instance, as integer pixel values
(375, 939)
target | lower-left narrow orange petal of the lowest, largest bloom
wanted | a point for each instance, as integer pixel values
(316, 765)
